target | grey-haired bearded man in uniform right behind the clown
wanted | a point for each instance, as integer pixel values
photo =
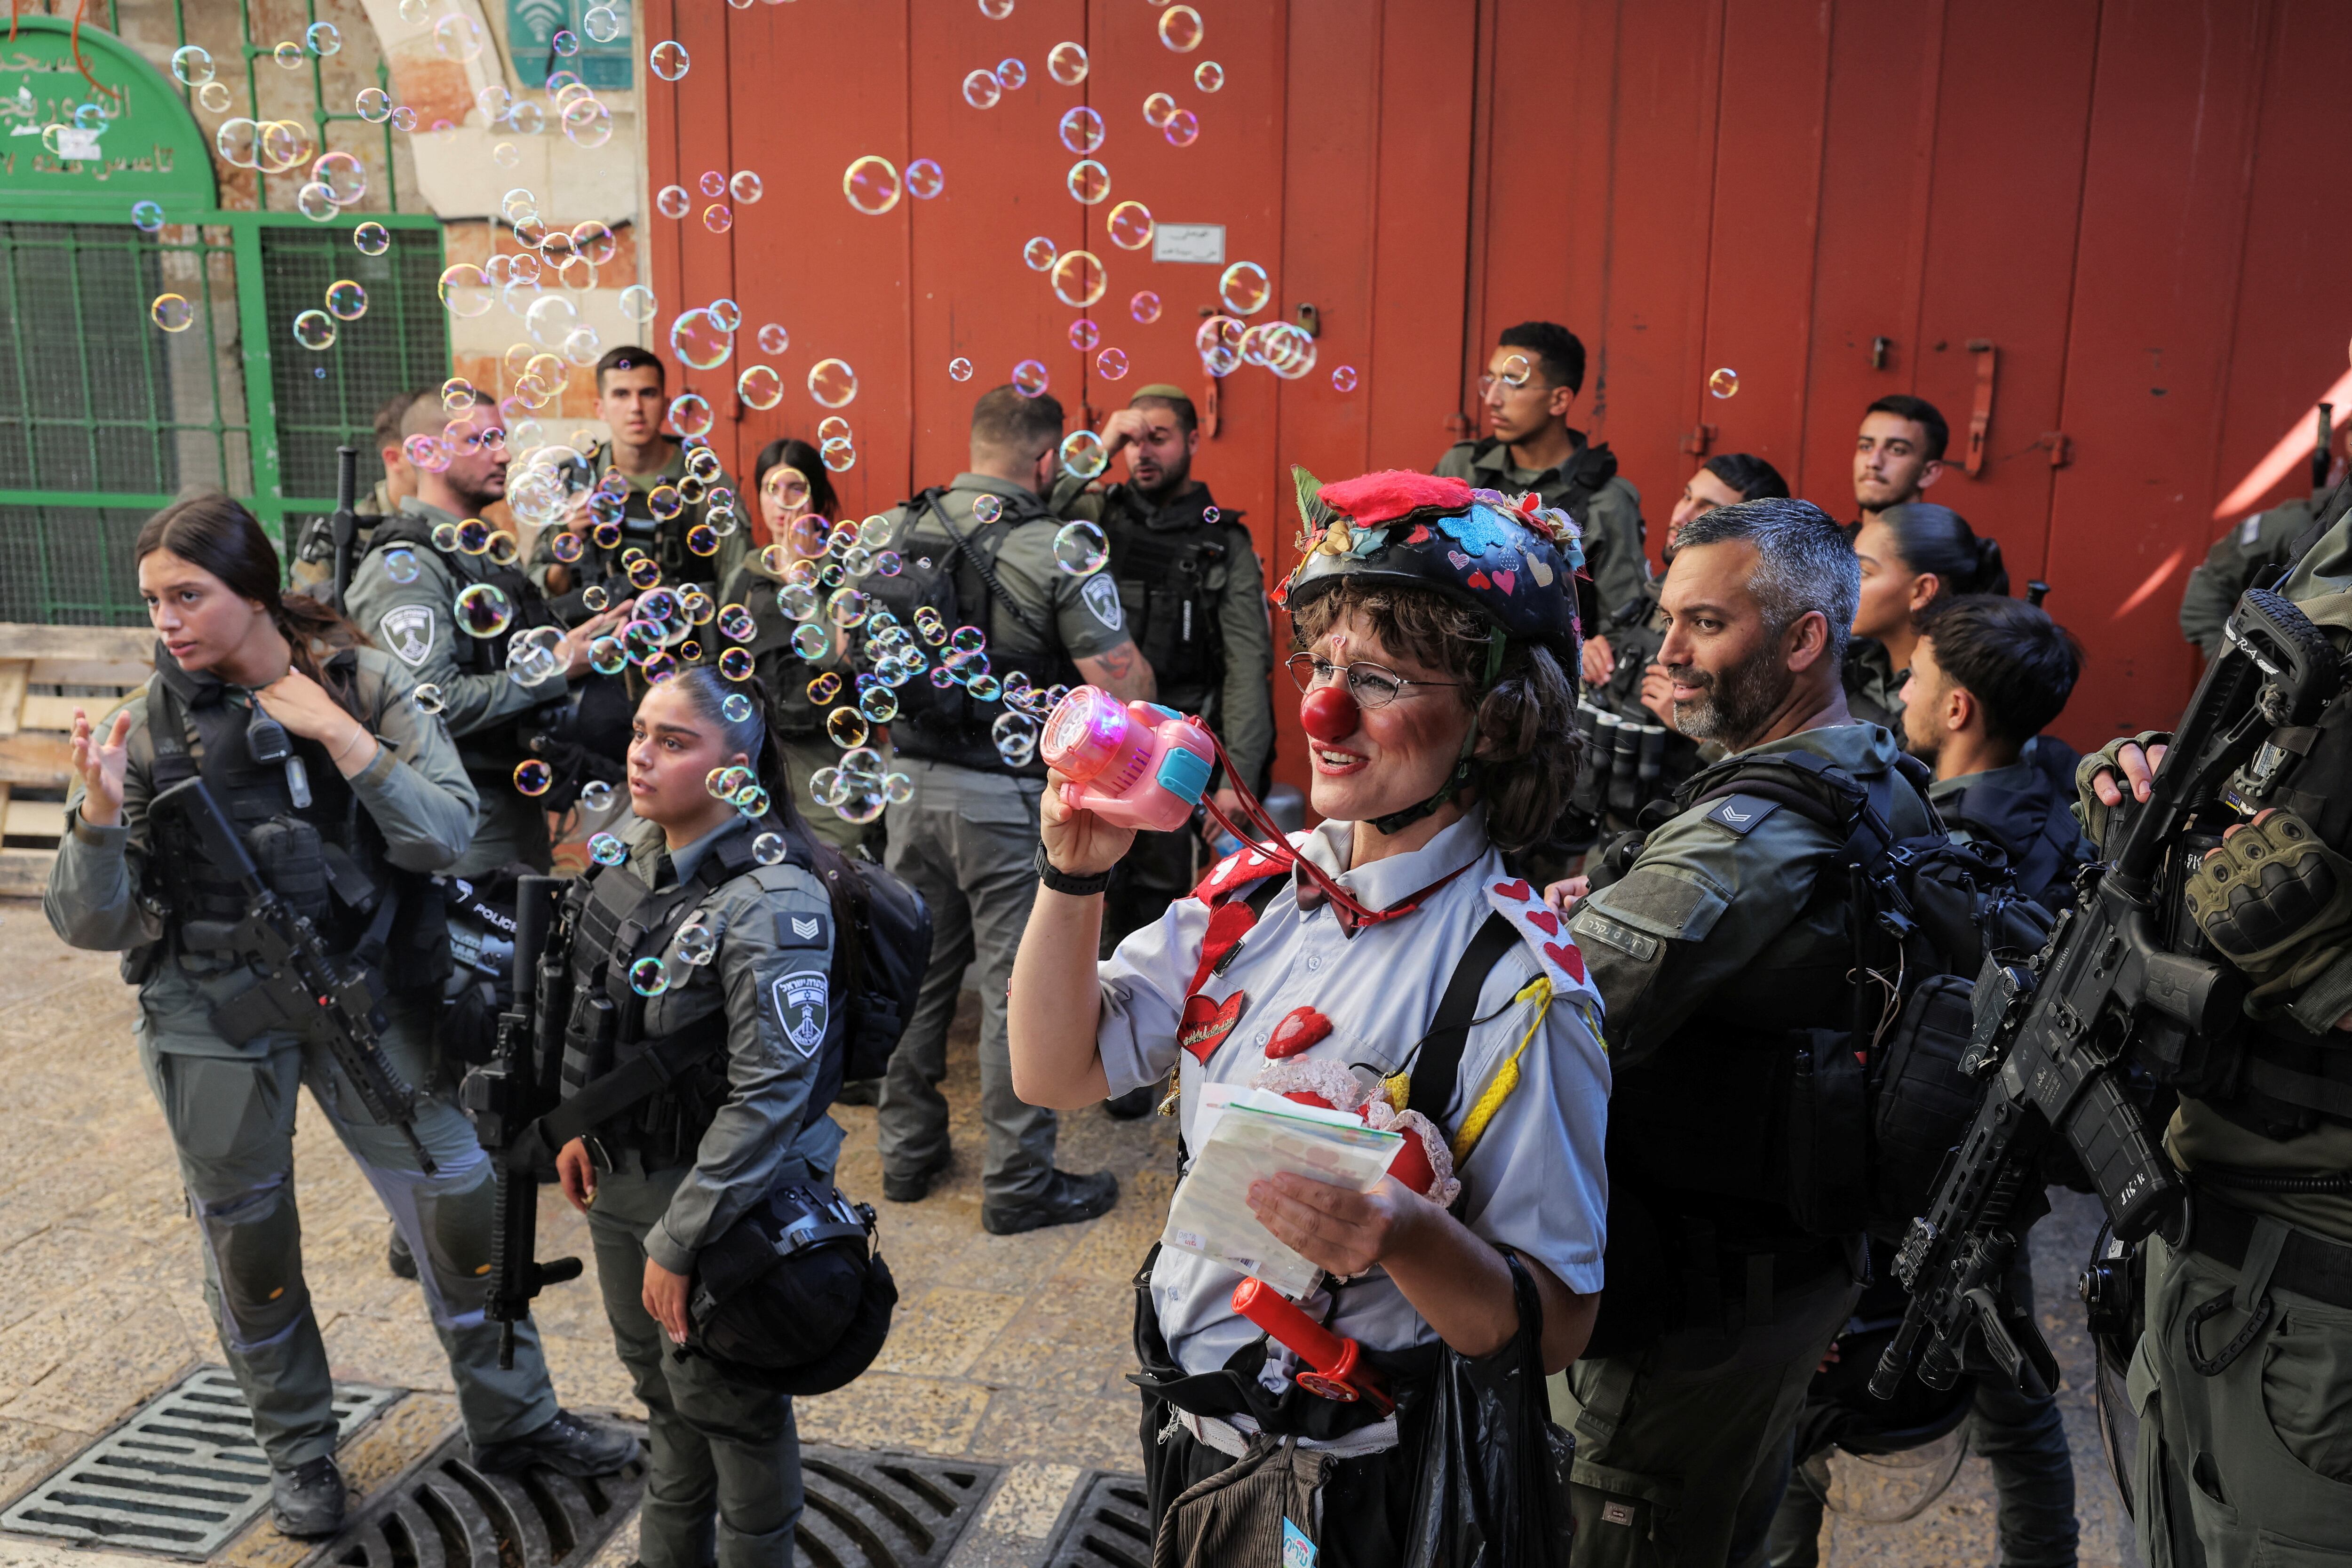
(1720, 944)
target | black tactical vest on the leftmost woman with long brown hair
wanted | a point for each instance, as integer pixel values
(316, 847)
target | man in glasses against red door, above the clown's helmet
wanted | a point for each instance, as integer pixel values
(1532, 382)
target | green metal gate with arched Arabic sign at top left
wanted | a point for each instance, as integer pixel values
(105, 417)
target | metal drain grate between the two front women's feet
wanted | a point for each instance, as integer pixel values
(450, 1515)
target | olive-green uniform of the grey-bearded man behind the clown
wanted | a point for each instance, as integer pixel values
(1720, 939)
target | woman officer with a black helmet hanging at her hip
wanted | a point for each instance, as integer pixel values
(721, 953)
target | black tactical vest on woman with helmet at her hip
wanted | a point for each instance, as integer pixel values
(617, 920)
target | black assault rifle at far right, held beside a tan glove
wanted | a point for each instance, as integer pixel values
(2057, 1038)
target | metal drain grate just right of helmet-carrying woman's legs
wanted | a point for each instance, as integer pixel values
(886, 1510)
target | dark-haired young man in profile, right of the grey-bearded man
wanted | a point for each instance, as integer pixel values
(1986, 678)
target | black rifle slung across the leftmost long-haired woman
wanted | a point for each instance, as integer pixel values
(302, 989)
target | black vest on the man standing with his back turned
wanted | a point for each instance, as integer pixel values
(961, 584)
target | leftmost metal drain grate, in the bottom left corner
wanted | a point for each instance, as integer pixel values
(180, 1477)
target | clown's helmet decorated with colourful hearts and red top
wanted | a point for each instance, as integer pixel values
(1509, 561)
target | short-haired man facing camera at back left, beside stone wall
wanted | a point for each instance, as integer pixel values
(662, 511)
